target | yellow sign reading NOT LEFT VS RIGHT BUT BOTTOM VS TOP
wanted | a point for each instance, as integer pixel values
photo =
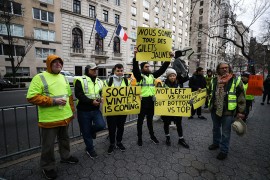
(173, 102)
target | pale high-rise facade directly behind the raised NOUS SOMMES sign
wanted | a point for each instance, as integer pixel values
(163, 14)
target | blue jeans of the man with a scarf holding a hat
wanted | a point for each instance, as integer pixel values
(222, 131)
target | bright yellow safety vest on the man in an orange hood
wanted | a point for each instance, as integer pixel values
(54, 86)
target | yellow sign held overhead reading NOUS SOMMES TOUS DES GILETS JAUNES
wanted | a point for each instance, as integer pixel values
(153, 44)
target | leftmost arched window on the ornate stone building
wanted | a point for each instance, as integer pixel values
(77, 40)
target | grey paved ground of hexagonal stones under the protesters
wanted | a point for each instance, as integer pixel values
(249, 156)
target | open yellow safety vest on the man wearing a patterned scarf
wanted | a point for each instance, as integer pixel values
(232, 99)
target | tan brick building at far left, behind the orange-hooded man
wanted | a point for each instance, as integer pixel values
(35, 25)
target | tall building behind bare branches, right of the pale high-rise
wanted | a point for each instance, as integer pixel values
(204, 25)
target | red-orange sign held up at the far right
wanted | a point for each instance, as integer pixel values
(255, 85)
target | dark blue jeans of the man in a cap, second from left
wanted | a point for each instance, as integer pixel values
(90, 122)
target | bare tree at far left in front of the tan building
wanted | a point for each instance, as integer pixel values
(9, 11)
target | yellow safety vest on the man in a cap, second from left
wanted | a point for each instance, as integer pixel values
(90, 89)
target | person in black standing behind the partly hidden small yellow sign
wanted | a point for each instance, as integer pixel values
(197, 82)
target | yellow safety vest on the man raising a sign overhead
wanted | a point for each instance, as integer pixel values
(148, 86)
